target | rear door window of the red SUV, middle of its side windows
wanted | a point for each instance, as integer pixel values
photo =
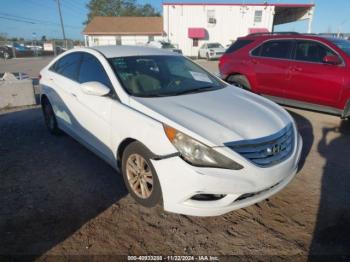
(281, 49)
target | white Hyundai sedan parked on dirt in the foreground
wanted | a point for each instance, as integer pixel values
(179, 135)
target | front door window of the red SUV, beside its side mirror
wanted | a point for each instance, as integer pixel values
(311, 51)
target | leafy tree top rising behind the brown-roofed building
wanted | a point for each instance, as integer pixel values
(119, 8)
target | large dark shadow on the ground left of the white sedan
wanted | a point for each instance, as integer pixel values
(50, 186)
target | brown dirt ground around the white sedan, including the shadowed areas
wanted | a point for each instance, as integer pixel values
(57, 198)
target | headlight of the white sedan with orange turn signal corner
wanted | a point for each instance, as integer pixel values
(196, 153)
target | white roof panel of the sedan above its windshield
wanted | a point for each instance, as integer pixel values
(125, 50)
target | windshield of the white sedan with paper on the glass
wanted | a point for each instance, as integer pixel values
(155, 76)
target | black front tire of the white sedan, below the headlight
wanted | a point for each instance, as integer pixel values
(155, 197)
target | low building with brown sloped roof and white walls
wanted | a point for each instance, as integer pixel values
(123, 30)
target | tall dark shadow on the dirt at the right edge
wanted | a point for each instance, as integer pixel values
(332, 232)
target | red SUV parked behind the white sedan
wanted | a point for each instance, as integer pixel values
(294, 69)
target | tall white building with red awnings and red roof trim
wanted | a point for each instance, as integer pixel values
(189, 25)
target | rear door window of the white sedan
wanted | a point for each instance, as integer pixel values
(68, 66)
